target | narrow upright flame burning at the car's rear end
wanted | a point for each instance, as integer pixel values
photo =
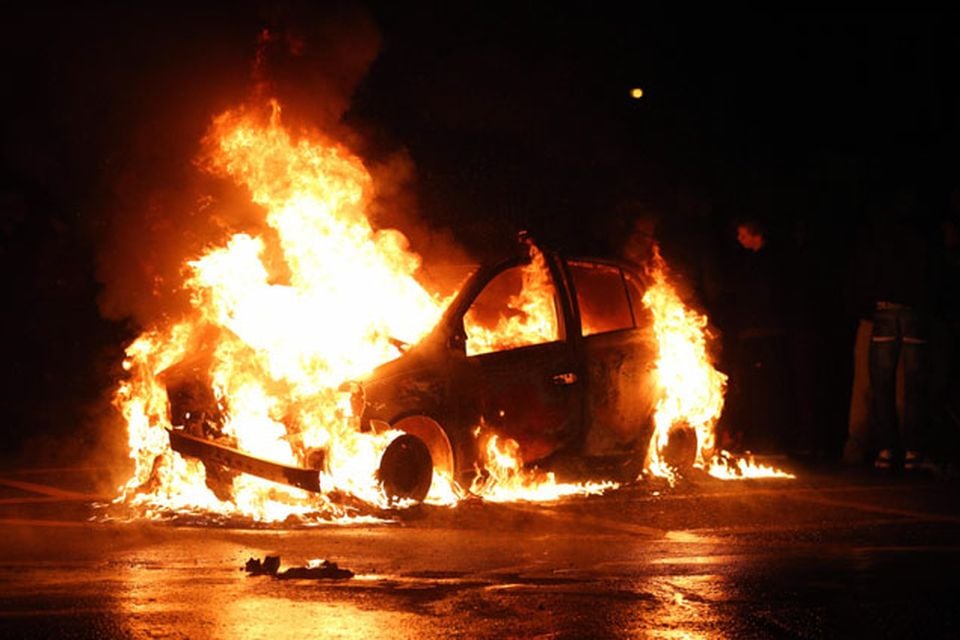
(690, 388)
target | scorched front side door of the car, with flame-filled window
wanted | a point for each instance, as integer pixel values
(520, 376)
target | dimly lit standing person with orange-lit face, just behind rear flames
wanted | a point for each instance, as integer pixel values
(753, 316)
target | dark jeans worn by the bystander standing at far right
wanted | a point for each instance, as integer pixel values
(898, 332)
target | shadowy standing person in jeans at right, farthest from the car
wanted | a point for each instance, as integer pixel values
(899, 282)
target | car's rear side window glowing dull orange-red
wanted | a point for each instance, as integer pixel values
(602, 298)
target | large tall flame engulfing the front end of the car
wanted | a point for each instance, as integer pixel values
(280, 339)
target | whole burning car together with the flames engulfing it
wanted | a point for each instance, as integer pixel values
(539, 361)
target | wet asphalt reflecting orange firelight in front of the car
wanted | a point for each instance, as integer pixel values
(831, 554)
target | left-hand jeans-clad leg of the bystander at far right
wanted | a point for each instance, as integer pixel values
(884, 351)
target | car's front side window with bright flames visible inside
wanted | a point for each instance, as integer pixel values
(517, 308)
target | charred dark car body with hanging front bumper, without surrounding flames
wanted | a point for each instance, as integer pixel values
(554, 352)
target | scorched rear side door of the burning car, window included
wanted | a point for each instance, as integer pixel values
(619, 356)
